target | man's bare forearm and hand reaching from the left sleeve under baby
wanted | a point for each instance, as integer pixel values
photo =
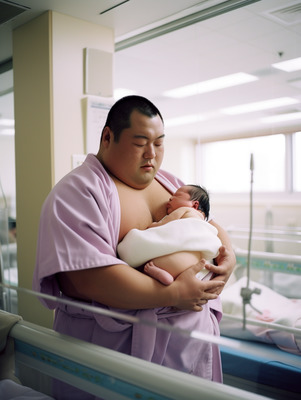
(121, 286)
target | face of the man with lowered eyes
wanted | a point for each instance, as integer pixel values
(138, 155)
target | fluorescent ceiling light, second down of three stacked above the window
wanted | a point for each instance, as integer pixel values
(260, 105)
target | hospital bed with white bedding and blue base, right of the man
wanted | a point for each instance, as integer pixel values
(269, 326)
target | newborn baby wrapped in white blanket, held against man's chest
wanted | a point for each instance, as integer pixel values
(177, 245)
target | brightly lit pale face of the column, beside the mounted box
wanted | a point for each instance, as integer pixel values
(70, 36)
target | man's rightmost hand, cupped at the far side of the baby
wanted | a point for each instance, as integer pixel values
(225, 265)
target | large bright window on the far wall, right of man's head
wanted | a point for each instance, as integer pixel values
(225, 165)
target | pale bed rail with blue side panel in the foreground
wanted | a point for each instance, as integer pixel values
(107, 373)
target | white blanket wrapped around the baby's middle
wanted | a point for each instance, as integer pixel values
(188, 234)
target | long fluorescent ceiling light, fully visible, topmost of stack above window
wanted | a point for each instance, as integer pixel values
(210, 85)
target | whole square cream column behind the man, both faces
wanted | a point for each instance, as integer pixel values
(48, 80)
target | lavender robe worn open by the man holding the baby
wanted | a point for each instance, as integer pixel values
(79, 228)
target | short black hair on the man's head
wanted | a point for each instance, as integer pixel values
(119, 115)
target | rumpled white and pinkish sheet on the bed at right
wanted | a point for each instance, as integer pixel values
(274, 308)
